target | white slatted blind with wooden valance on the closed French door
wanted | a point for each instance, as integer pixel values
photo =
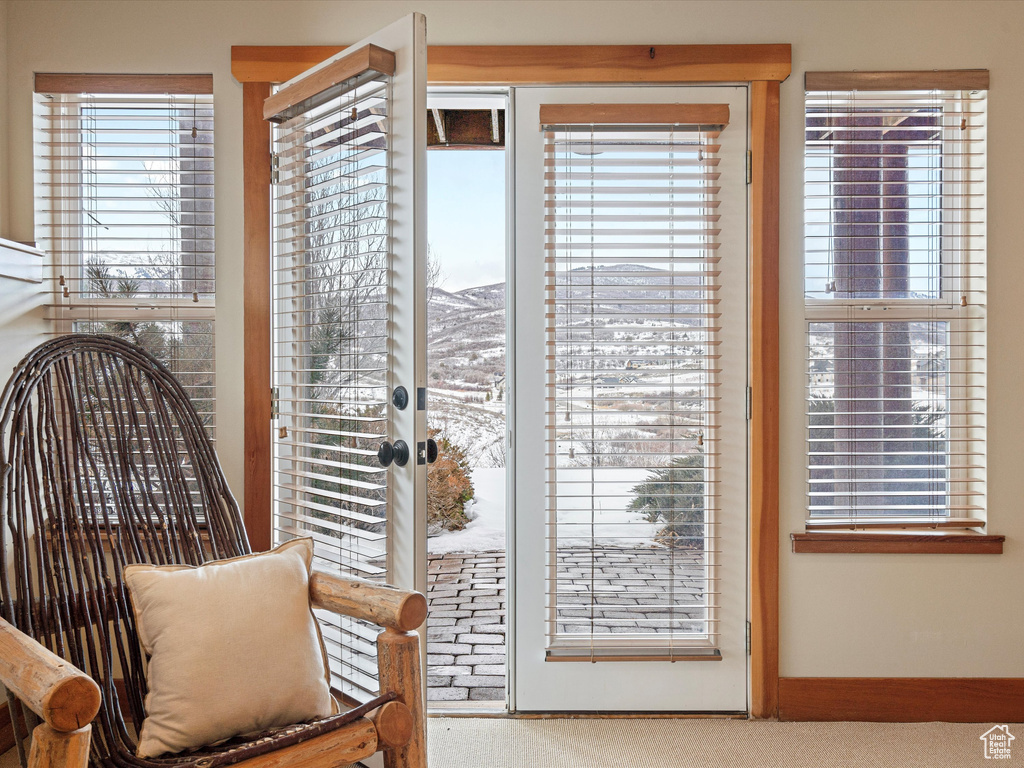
(632, 321)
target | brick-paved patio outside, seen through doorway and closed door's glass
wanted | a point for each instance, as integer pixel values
(634, 590)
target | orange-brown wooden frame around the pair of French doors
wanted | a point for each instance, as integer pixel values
(763, 67)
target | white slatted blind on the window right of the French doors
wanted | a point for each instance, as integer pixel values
(895, 304)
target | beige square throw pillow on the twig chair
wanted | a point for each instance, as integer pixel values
(233, 648)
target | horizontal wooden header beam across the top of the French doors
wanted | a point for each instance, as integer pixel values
(532, 65)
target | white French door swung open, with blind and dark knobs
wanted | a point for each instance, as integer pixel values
(350, 323)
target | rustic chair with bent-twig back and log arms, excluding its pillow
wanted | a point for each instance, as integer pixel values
(105, 462)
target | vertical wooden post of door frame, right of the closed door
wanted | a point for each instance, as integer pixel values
(765, 393)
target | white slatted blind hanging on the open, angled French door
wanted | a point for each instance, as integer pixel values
(331, 309)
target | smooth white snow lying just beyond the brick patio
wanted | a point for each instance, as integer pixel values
(610, 526)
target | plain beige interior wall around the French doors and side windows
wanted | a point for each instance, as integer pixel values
(847, 616)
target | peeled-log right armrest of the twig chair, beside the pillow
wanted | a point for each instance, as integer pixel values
(387, 607)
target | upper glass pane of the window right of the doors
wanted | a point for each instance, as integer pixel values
(874, 178)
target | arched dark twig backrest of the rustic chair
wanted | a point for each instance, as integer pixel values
(105, 462)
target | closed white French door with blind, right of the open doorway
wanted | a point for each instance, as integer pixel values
(630, 426)
